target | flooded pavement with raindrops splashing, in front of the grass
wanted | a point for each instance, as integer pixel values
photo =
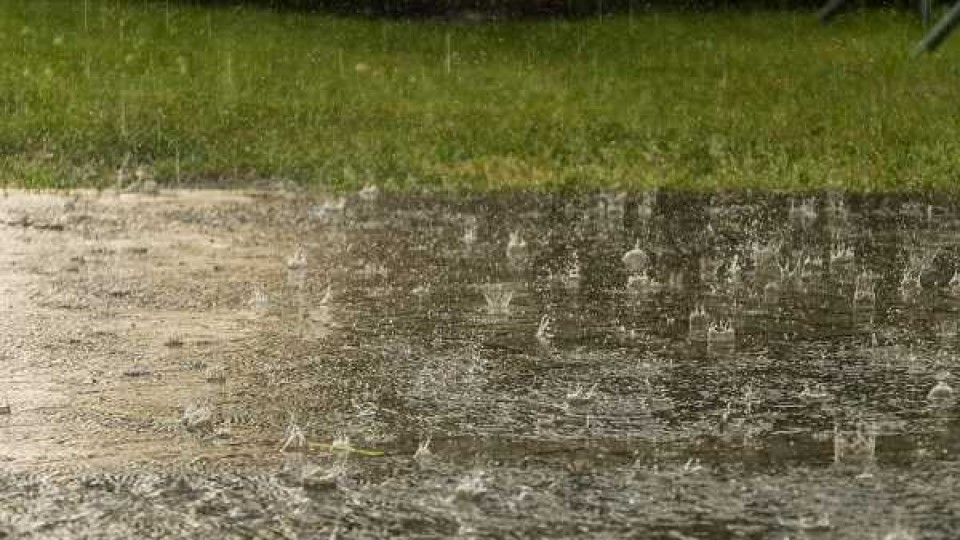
(657, 365)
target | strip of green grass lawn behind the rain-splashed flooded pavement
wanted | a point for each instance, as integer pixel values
(718, 100)
